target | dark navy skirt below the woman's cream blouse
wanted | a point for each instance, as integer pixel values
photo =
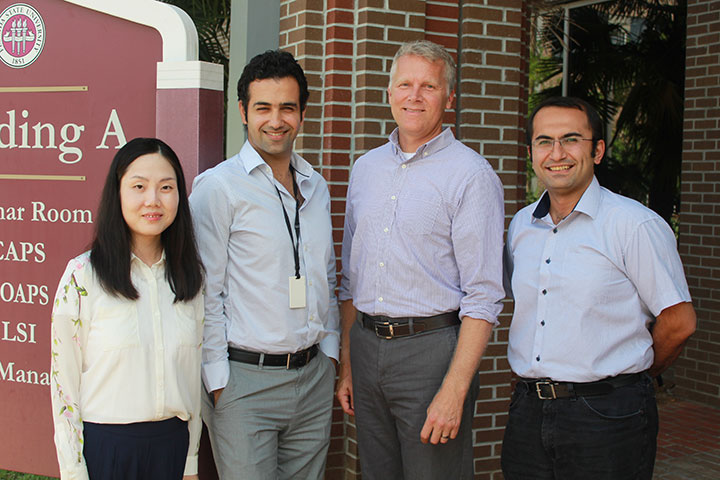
(136, 451)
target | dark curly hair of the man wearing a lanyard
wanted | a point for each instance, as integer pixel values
(272, 64)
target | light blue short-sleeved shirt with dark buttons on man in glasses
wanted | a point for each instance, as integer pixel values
(587, 288)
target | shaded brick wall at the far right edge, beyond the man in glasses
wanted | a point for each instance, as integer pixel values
(697, 372)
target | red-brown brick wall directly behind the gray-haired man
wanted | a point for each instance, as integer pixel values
(346, 48)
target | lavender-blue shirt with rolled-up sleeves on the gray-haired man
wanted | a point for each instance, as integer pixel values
(423, 235)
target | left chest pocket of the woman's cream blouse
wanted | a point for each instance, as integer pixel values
(115, 325)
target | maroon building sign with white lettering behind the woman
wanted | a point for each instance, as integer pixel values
(75, 84)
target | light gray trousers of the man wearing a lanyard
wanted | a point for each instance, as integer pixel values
(271, 423)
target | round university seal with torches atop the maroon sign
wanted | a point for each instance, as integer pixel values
(22, 35)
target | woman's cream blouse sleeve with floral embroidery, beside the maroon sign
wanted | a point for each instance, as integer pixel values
(66, 367)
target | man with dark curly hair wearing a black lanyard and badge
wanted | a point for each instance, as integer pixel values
(271, 321)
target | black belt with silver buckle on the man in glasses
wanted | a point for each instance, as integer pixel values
(547, 389)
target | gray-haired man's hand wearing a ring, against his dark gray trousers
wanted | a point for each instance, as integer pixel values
(443, 416)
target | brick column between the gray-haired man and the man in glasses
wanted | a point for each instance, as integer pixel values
(493, 105)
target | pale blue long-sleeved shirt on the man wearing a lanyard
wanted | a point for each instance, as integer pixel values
(248, 257)
